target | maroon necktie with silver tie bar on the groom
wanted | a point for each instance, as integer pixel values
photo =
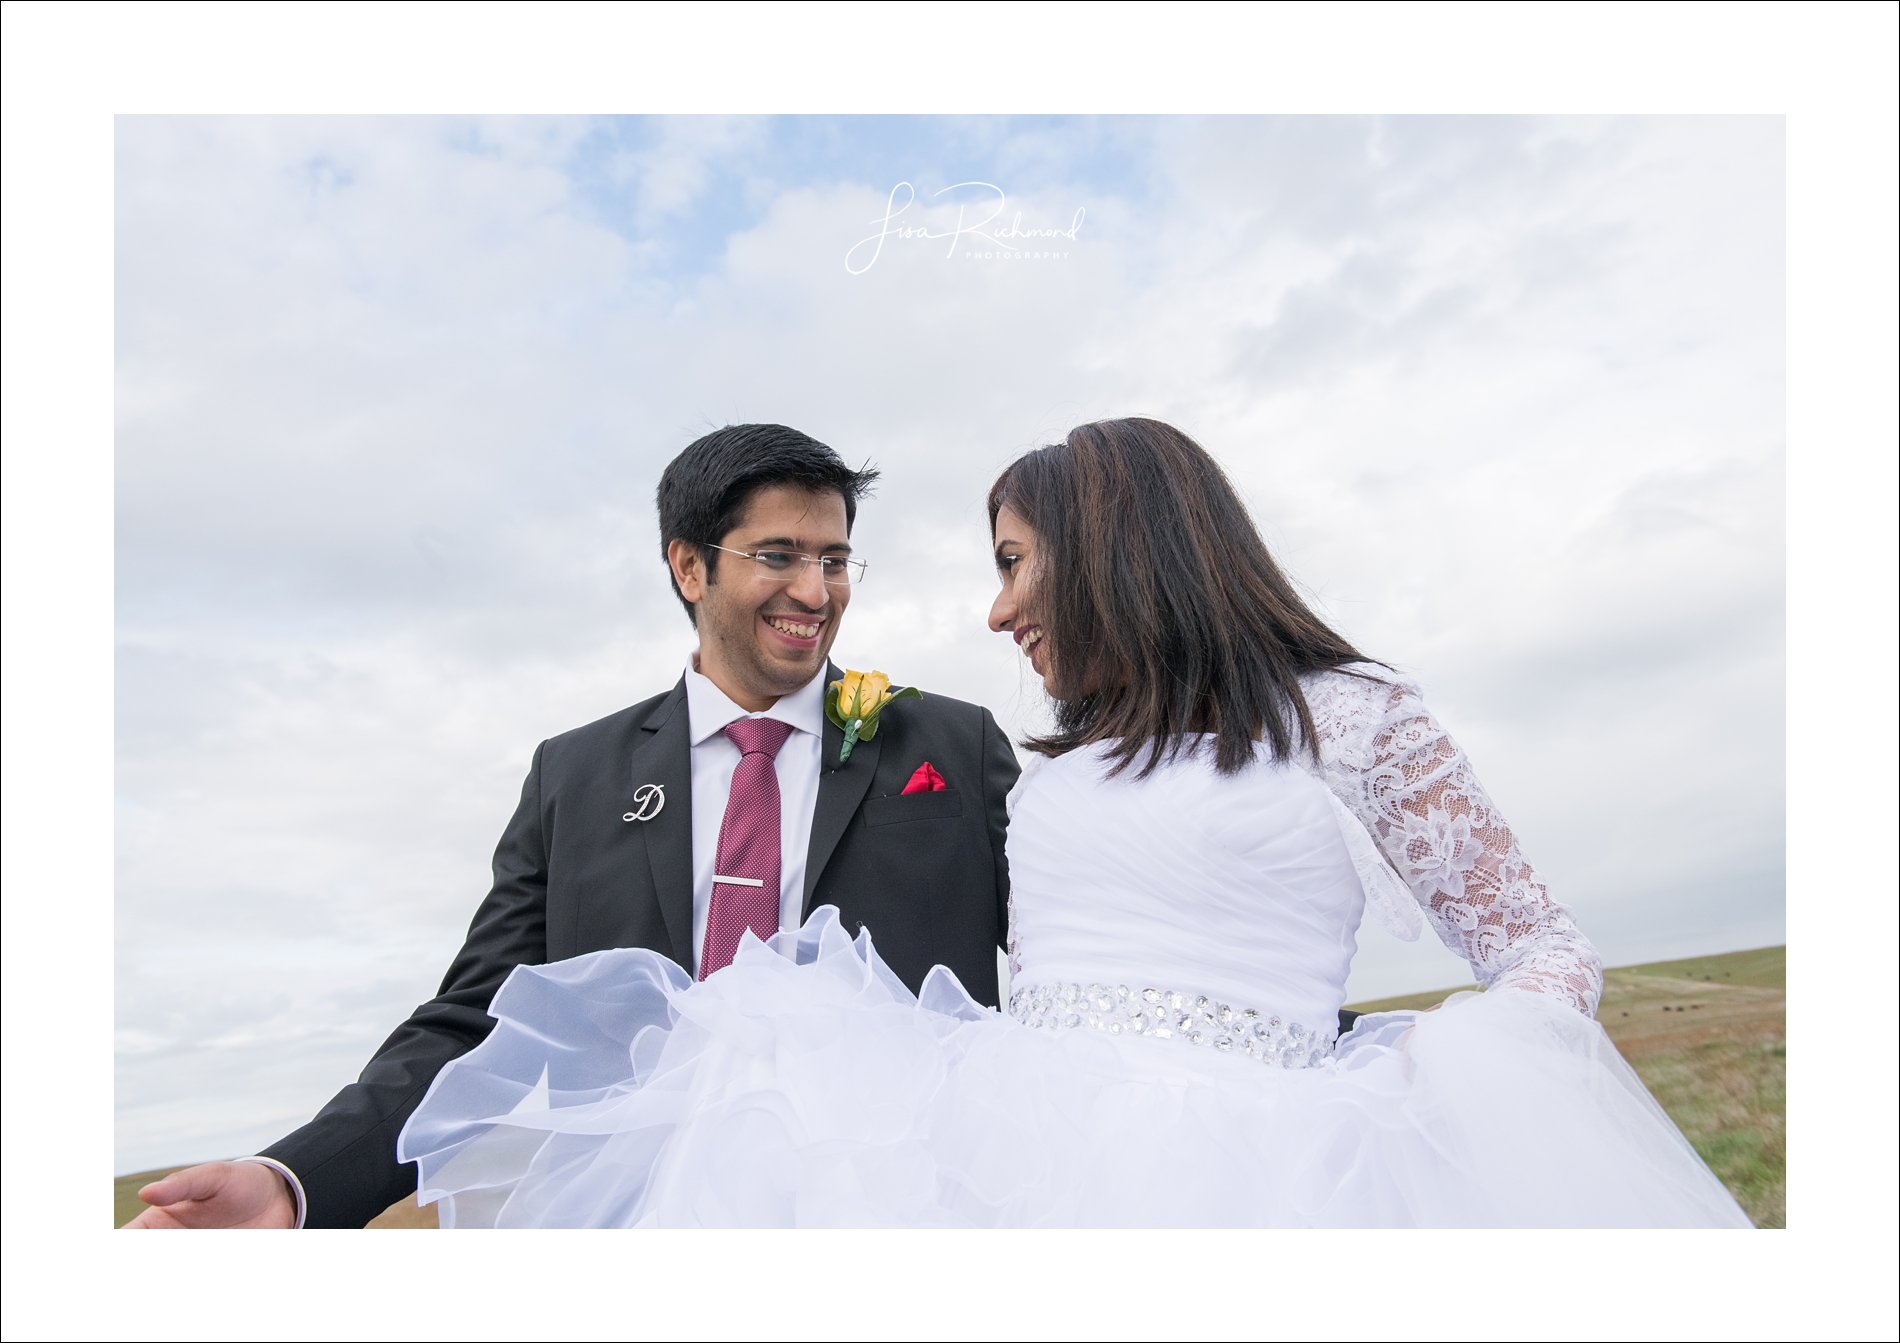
(746, 875)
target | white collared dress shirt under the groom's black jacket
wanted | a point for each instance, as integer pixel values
(713, 755)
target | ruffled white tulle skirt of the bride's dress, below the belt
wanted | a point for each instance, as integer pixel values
(807, 1086)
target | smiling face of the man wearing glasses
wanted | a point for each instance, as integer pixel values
(763, 635)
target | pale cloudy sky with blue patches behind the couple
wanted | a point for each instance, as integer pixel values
(394, 394)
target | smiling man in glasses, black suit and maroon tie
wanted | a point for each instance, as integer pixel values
(685, 822)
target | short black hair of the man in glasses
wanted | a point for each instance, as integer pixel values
(706, 489)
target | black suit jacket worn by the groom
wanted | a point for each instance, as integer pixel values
(924, 873)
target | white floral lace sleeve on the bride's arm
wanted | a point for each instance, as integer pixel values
(1407, 782)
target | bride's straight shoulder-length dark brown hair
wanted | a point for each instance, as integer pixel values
(1160, 603)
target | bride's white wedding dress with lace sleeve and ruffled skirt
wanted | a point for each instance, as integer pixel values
(1179, 953)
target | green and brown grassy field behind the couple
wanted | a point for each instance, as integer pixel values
(1707, 1036)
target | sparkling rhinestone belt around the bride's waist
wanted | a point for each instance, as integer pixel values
(1169, 1015)
